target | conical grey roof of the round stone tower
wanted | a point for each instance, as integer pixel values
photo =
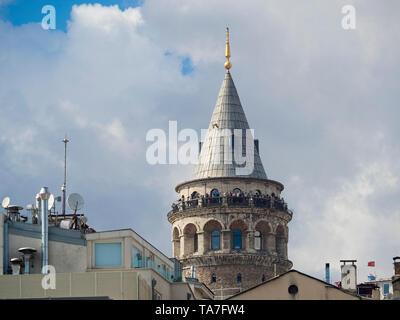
(228, 114)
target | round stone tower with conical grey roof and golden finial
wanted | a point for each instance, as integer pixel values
(228, 230)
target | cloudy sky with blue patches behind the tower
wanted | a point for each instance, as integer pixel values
(323, 102)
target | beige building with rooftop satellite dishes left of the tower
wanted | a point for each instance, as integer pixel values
(115, 264)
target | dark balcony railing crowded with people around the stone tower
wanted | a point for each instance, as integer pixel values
(257, 202)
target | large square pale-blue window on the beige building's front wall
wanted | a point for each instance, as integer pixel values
(107, 254)
